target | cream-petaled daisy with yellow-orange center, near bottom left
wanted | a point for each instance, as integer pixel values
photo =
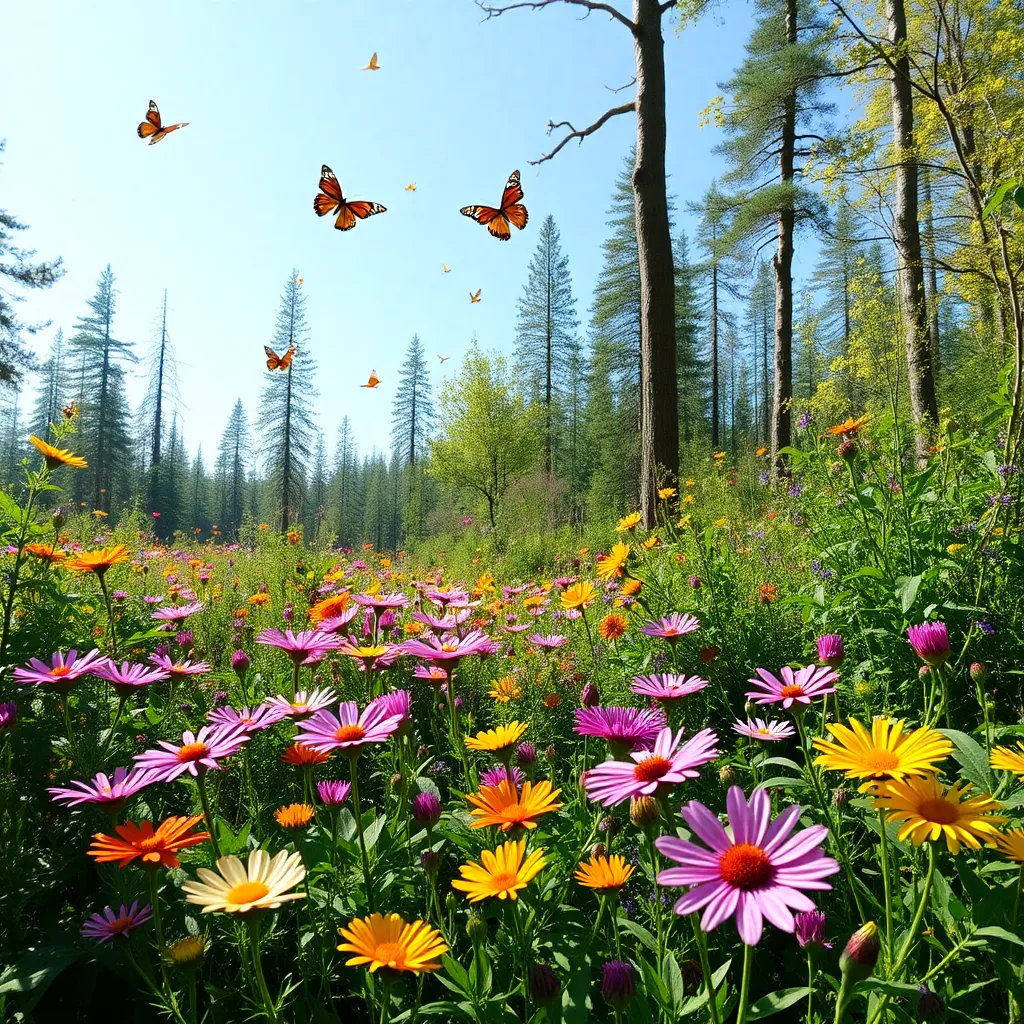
(265, 887)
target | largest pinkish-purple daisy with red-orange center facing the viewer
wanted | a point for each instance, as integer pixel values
(754, 871)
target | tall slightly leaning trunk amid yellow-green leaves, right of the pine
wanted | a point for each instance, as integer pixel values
(910, 269)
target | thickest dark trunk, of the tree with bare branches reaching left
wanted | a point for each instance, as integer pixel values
(660, 414)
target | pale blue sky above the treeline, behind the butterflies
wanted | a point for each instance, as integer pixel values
(220, 212)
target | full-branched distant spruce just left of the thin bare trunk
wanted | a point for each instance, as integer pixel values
(105, 410)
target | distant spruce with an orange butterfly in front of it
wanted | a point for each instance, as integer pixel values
(286, 421)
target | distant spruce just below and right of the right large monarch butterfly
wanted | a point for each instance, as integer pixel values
(547, 331)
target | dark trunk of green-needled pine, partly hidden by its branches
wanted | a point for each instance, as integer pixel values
(782, 426)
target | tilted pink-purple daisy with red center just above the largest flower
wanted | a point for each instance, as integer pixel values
(650, 772)
